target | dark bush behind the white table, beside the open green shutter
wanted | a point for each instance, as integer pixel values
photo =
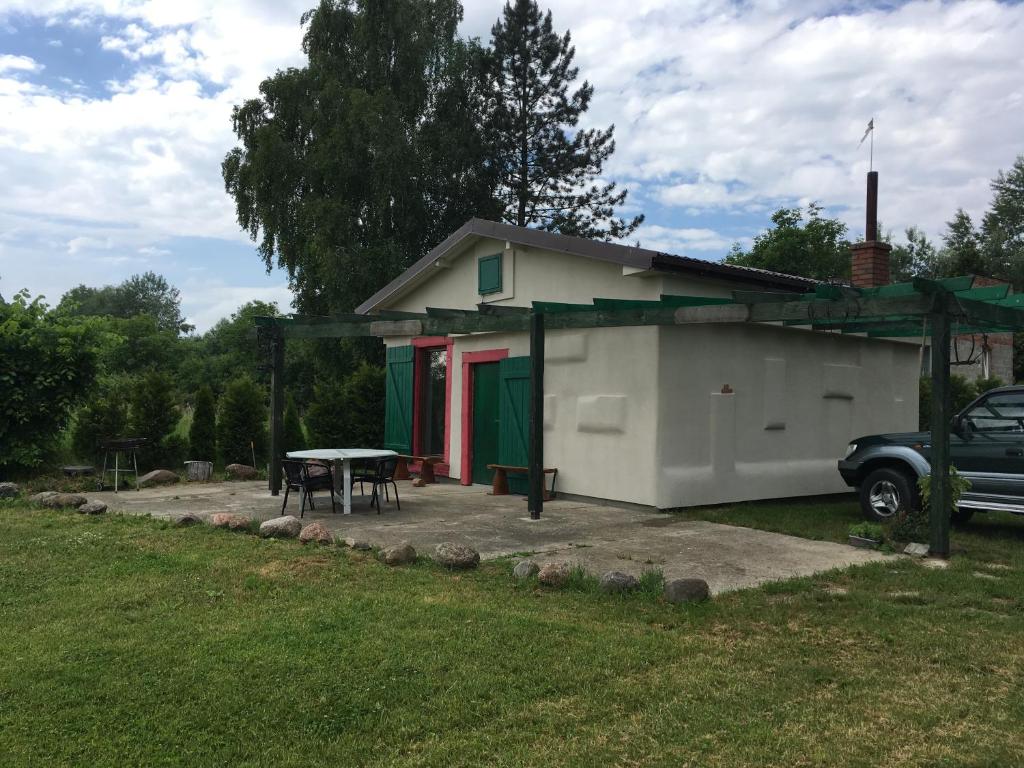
(350, 412)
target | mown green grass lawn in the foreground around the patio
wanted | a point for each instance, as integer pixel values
(127, 643)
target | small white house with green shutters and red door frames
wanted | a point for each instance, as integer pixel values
(660, 416)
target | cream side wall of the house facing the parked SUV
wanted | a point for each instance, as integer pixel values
(798, 399)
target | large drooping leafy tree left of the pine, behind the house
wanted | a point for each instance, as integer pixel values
(353, 166)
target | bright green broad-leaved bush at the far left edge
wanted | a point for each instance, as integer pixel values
(49, 367)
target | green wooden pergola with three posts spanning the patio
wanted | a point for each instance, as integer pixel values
(938, 310)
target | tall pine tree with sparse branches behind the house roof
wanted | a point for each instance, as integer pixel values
(546, 168)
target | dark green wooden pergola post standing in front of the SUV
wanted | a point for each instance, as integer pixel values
(942, 415)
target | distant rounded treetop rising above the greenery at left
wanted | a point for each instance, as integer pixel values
(148, 294)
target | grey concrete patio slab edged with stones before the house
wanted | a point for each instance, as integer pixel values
(599, 538)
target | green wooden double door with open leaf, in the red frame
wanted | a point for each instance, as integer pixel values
(501, 419)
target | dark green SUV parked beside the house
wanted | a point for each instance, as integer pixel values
(987, 448)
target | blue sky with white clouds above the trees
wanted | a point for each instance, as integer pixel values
(115, 116)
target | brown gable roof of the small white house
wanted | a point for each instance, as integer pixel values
(642, 259)
